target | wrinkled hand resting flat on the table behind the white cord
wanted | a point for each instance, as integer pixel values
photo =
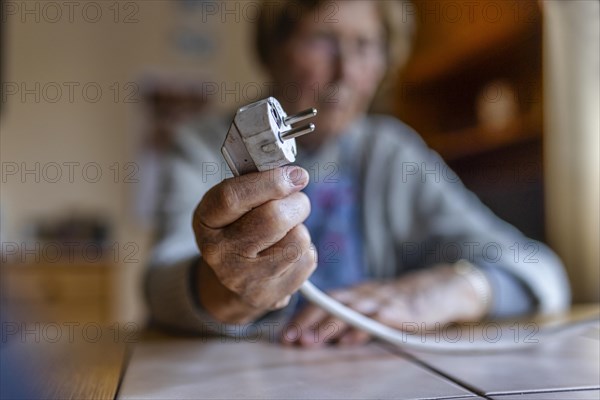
(437, 295)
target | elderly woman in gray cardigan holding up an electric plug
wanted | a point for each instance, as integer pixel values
(398, 237)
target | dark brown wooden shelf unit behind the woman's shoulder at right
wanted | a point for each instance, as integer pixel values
(472, 59)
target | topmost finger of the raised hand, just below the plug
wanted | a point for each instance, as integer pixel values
(234, 197)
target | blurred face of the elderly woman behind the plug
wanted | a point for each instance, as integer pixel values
(334, 62)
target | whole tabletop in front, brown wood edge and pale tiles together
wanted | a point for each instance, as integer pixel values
(167, 367)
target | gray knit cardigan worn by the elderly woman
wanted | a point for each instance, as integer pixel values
(416, 213)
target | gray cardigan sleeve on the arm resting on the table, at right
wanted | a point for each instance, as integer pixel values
(430, 217)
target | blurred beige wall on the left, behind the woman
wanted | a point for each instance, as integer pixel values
(106, 132)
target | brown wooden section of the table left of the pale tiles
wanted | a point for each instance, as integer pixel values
(62, 360)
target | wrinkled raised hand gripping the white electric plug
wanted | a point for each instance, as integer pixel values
(255, 249)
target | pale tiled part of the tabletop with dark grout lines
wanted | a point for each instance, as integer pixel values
(565, 366)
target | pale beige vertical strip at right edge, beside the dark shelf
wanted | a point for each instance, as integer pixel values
(572, 142)
